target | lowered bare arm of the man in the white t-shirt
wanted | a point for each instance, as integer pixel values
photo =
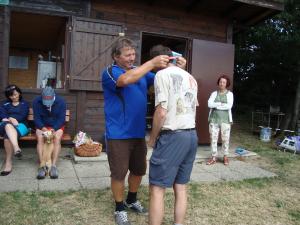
(158, 121)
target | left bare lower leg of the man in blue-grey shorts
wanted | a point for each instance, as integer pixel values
(156, 208)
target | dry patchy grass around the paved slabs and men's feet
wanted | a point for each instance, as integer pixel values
(254, 201)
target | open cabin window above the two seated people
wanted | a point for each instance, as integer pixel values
(36, 50)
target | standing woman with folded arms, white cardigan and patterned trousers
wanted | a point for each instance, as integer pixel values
(220, 103)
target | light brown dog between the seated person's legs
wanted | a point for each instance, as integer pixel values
(46, 160)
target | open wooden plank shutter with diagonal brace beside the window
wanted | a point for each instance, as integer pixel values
(91, 42)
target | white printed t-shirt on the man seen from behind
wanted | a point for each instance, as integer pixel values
(176, 91)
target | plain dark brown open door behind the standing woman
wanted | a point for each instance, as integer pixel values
(209, 61)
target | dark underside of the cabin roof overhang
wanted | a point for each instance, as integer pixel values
(243, 13)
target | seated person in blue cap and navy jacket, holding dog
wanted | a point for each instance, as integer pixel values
(49, 112)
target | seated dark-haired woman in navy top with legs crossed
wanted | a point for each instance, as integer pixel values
(13, 119)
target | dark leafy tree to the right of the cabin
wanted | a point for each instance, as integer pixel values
(267, 69)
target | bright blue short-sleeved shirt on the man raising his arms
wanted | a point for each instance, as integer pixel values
(125, 108)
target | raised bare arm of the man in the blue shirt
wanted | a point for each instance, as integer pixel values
(133, 75)
